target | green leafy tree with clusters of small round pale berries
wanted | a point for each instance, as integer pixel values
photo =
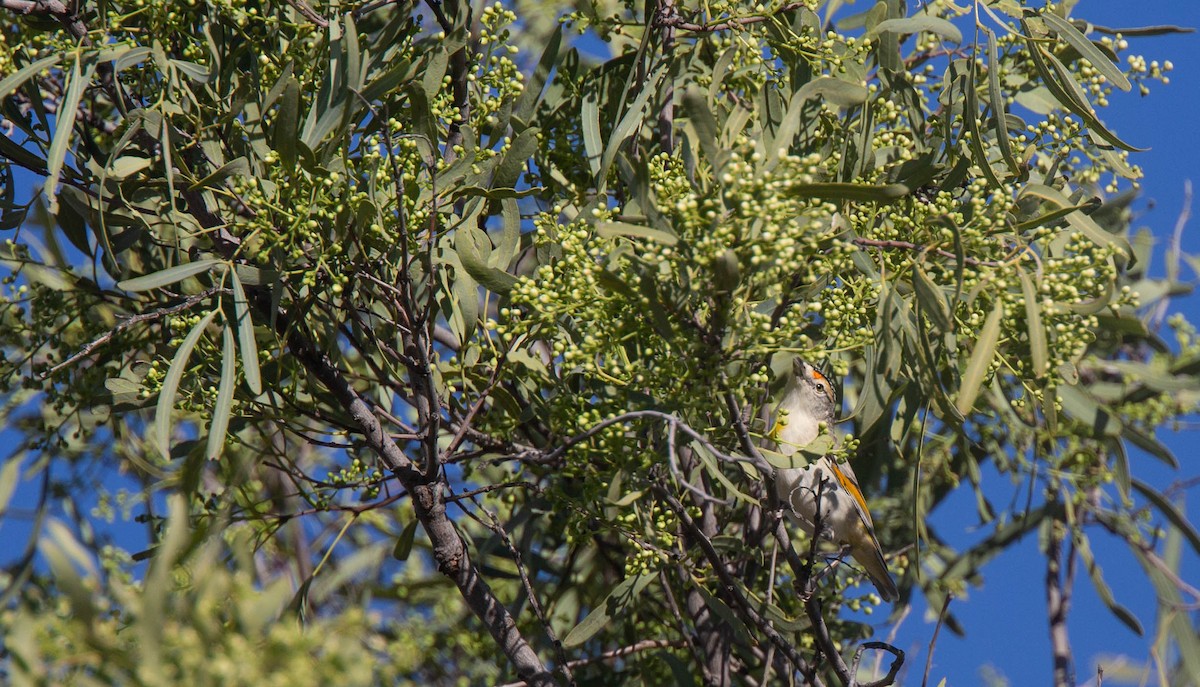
(508, 297)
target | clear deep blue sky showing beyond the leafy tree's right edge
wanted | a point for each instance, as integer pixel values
(1006, 618)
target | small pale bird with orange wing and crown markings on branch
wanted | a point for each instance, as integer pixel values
(808, 402)
